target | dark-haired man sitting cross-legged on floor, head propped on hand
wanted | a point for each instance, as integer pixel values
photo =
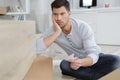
(76, 37)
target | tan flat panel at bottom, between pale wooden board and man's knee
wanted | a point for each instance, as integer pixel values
(41, 69)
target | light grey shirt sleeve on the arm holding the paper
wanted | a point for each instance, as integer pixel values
(89, 43)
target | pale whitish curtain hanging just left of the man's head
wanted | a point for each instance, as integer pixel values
(39, 12)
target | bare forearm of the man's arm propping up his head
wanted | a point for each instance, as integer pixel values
(50, 39)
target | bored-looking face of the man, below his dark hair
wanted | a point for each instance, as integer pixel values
(61, 16)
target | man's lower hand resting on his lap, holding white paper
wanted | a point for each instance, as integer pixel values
(75, 63)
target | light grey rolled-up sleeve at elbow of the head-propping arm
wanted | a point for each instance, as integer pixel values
(40, 46)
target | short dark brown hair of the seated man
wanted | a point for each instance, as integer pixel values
(60, 3)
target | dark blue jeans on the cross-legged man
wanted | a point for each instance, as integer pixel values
(106, 64)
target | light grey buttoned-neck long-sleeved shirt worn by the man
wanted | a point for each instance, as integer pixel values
(79, 42)
